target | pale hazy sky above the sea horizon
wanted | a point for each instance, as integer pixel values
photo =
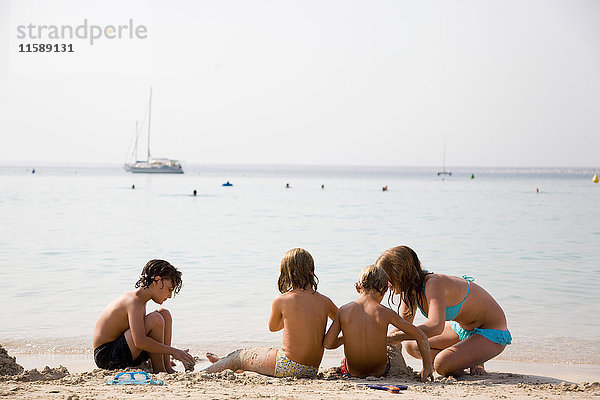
(500, 83)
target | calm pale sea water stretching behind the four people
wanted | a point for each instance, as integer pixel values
(73, 238)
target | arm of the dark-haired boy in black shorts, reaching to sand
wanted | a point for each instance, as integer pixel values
(135, 314)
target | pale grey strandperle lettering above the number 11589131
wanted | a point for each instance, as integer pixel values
(83, 31)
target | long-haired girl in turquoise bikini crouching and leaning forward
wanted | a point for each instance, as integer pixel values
(465, 325)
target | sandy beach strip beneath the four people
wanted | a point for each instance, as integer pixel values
(58, 383)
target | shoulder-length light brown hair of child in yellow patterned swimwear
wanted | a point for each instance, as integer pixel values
(297, 271)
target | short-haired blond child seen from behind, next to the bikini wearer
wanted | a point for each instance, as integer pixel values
(364, 325)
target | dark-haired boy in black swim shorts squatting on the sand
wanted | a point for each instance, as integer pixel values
(125, 336)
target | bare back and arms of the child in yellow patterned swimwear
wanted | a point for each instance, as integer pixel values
(303, 315)
